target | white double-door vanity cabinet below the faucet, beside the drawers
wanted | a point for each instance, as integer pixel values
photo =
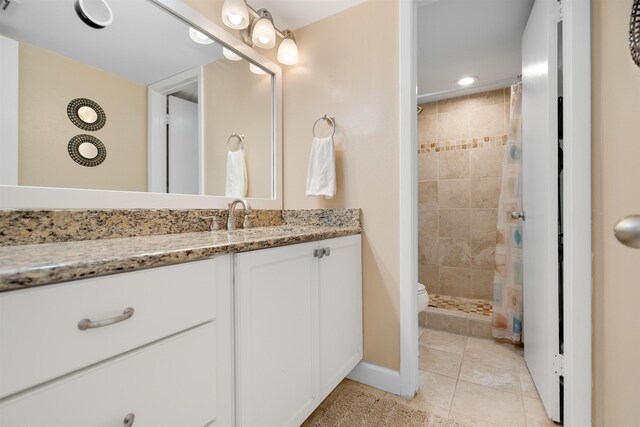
(298, 328)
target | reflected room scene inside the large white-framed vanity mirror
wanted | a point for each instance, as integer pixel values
(171, 95)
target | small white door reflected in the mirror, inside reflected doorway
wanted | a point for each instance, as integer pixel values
(182, 146)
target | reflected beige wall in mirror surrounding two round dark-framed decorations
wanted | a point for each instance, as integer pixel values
(48, 82)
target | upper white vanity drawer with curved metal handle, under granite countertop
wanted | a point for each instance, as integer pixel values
(40, 337)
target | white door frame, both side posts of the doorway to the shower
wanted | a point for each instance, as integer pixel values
(577, 207)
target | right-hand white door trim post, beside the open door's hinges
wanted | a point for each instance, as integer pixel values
(577, 210)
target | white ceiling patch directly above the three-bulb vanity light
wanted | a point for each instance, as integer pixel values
(294, 14)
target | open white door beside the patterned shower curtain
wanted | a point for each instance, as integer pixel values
(540, 201)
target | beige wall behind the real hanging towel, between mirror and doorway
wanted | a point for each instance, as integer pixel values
(349, 69)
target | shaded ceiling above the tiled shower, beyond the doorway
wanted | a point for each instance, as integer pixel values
(459, 38)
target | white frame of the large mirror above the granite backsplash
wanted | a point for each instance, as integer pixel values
(13, 196)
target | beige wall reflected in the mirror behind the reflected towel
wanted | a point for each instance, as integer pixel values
(237, 100)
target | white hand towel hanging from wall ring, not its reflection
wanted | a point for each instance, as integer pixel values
(321, 178)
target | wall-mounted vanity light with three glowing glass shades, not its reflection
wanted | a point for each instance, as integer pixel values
(262, 32)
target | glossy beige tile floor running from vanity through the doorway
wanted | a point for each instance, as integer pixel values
(477, 382)
